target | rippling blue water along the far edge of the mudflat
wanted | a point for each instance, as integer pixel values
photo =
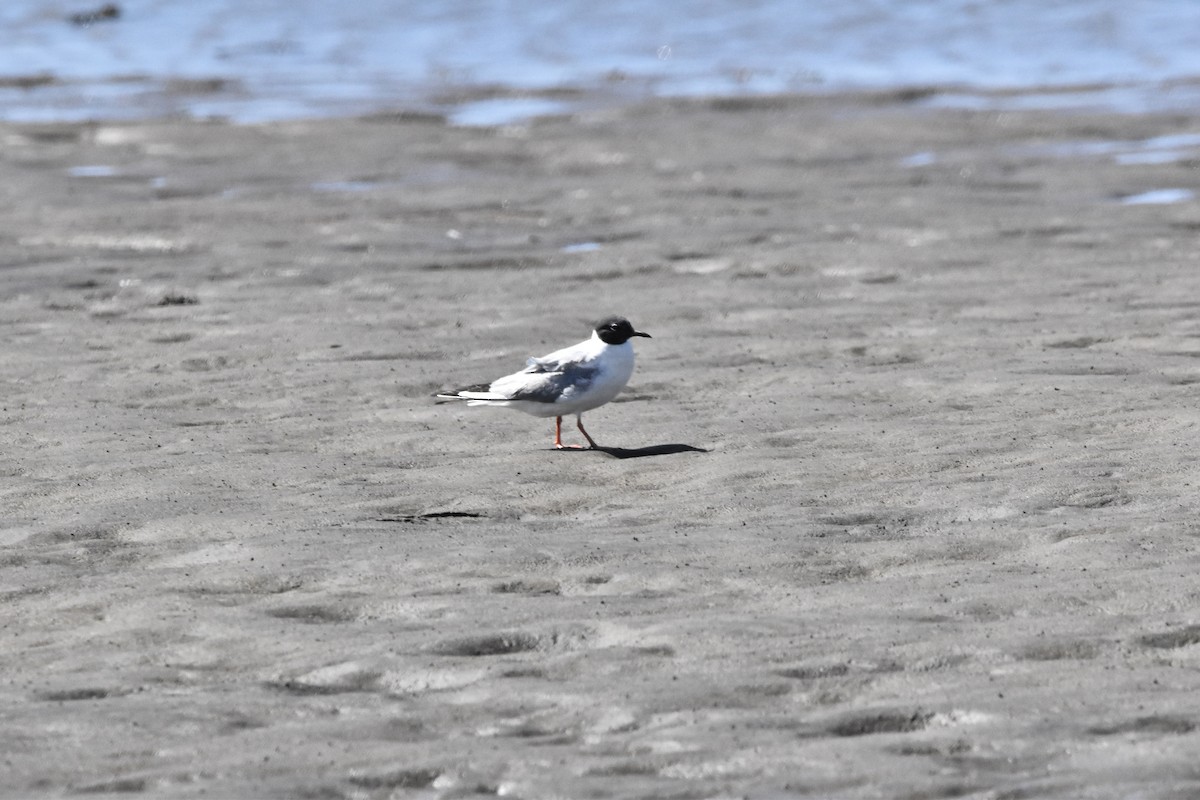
(487, 63)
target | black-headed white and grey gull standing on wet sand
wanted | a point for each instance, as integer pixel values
(572, 381)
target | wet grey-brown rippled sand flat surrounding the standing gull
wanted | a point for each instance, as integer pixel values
(901, 502)
